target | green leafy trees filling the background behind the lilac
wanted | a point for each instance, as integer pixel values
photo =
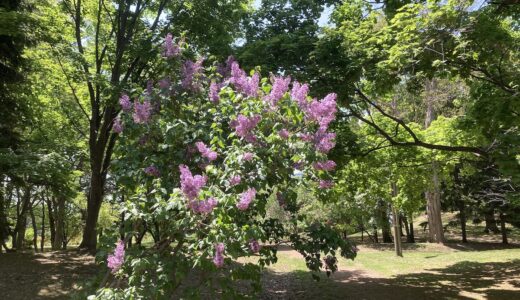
(427, 121)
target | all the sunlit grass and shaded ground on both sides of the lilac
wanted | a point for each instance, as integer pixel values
(481, 269)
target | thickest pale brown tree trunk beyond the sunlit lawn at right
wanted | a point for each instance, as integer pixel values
(436, 231)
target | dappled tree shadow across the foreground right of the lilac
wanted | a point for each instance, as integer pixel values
(464, 280)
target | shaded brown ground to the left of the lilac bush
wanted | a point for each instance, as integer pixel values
(50, 275)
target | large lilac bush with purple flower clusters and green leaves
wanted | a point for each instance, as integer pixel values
(201, 152)
